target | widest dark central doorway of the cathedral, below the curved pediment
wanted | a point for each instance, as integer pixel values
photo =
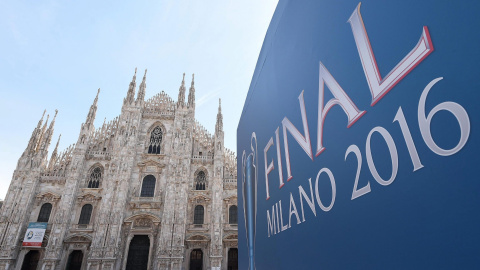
(138, 253)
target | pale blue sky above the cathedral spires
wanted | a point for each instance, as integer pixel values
(56, 54)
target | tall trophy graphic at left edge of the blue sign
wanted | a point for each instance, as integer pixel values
(249, 173)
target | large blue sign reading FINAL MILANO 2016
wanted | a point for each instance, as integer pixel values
(358, 142)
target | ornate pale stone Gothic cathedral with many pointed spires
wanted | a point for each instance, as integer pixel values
(150, 189)
